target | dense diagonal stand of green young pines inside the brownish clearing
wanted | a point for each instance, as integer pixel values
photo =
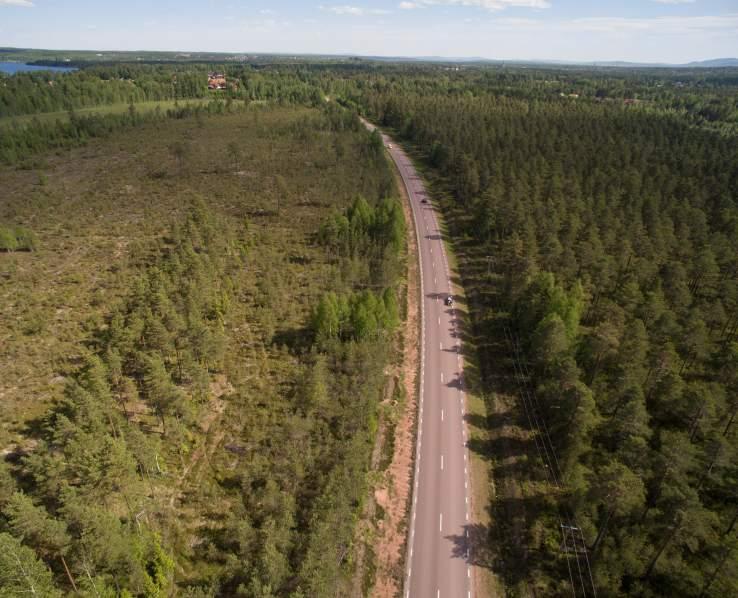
(89, 482)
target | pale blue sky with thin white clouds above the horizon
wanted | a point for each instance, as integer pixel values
(673, 31)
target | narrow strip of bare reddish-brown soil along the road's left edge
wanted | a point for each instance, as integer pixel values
(393, 496)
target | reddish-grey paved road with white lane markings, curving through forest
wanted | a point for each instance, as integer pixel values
(437, 556)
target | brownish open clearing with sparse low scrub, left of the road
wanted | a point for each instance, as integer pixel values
(105, 212)
